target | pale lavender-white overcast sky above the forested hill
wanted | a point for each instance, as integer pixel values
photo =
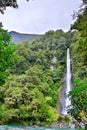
(40, 16)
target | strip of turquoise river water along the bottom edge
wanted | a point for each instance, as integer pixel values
(16, 127)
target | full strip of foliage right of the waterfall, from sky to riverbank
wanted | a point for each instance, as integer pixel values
(79, 63)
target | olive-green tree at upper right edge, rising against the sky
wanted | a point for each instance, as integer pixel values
(81, 25)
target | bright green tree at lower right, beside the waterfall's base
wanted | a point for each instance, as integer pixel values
(79, 101)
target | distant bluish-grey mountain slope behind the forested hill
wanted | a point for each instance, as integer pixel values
(19, 37)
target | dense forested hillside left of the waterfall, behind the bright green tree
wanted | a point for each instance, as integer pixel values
(30, 95)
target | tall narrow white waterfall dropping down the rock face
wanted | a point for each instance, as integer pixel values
(65, 101)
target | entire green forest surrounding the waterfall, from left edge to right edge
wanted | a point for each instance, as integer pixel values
(31, 75)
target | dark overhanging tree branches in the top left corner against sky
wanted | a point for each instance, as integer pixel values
(8, 3)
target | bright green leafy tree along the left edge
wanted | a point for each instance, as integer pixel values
(6, 54)
